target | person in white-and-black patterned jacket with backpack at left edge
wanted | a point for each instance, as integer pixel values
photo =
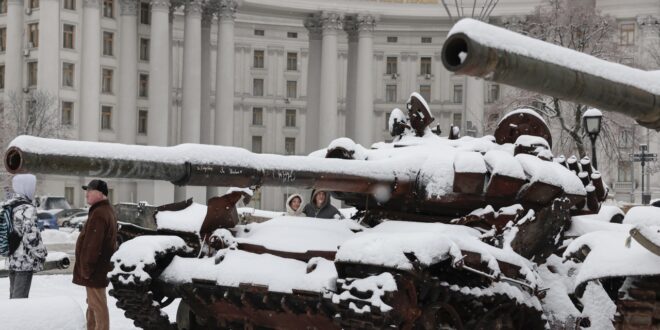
(27, 252)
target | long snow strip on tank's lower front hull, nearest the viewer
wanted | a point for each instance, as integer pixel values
(235, 267)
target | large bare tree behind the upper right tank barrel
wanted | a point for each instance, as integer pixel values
(580, 26)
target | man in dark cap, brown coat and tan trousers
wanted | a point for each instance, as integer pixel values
(96, 244)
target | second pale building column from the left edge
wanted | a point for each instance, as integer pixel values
(48, 66)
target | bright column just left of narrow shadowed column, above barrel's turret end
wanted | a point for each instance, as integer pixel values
(331, 23)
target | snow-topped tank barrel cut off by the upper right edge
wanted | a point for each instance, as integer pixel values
(481, 50)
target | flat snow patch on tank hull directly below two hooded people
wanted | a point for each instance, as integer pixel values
(295, 234)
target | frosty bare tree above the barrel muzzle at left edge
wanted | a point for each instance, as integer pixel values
(34, 113)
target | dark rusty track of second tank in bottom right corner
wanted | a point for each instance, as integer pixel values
(638, 305)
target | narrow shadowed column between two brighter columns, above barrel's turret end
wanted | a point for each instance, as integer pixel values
(351, 76)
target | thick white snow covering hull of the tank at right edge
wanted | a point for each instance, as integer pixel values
(609, 256)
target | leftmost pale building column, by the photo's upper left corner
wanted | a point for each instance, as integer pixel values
(14, 53)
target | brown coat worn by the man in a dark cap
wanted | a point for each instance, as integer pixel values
(96, 244)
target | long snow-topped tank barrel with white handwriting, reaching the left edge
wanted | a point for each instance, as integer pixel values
(196, 165)
